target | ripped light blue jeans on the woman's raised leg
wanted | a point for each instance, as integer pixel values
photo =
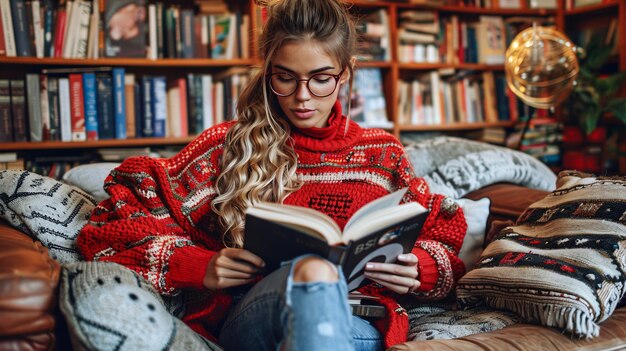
(278, 312)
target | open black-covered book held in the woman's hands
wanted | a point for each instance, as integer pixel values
(379, 231)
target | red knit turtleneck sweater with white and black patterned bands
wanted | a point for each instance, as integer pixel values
(158, 220)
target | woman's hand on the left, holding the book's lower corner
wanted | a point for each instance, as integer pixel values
(232, 267)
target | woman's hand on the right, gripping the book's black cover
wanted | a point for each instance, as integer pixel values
(400, 277)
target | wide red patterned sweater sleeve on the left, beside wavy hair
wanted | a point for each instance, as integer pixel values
(158, 219)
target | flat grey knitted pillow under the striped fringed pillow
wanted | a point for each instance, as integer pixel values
(445, 321)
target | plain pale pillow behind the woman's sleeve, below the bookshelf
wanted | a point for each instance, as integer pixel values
(90, 177)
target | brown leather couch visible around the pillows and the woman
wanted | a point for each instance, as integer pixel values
(30, 320)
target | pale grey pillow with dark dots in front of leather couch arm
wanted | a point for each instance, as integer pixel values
(110, 307)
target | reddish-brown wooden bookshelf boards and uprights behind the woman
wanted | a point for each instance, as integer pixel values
(393, 69)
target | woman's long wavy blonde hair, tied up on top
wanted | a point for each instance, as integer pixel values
(259, 163)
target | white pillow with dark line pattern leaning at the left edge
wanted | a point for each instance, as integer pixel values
(46, 209)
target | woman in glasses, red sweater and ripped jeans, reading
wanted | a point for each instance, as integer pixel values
(179, 222)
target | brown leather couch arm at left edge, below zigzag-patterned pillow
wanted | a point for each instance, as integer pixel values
(28, 291)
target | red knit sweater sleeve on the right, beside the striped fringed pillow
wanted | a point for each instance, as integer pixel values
(437, 247)
